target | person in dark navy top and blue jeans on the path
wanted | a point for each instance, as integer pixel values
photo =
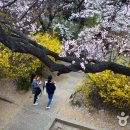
(50, 87)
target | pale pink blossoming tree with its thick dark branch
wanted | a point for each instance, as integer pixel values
(95, 49)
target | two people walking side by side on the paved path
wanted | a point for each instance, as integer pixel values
(49, 85)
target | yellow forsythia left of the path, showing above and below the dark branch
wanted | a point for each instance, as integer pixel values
(17, 65)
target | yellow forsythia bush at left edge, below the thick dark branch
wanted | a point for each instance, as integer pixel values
(17, 65)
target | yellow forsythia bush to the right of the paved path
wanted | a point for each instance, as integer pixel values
(113, 89)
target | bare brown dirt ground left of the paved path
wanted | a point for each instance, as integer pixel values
(9, 92)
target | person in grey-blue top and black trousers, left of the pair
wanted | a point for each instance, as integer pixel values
(35, 88)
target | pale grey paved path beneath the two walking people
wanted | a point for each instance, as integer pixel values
(36, 117)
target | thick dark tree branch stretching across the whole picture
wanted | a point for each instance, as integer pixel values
(23, 44)
